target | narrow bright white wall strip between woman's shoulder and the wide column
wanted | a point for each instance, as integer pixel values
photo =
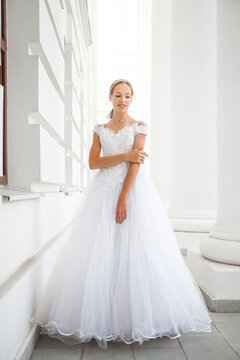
(161, 97)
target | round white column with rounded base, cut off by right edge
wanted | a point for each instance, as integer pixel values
(223, 245)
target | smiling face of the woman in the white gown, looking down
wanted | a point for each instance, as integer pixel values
(121, 97)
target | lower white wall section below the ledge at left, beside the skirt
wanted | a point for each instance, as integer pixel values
(26, 227)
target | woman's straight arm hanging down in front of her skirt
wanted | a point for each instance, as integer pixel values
(121, 210)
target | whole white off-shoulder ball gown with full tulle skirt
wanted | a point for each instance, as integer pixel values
(122, 282)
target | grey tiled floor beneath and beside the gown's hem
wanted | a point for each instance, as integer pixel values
(223, 343)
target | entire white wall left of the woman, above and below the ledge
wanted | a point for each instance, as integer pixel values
(48, 143)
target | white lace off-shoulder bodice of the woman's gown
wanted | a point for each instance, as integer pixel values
(117, 143)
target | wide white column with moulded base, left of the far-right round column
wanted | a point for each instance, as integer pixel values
(193, 115)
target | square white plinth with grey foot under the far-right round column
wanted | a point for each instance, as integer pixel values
(219, 283)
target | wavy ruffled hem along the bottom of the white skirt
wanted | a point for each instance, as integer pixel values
(51, 329)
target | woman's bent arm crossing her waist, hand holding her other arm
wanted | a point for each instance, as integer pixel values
(97, 162)
